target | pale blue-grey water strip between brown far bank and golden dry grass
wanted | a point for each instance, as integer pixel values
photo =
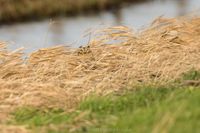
(70, 30)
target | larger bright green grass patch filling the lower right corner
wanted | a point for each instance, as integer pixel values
(148, 110)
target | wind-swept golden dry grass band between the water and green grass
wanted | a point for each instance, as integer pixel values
(59, 77)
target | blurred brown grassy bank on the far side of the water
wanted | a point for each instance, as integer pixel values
(21, 10)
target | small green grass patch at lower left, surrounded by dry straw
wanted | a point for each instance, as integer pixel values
(36, 117)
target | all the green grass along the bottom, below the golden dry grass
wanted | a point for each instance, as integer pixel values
(172, 108)
